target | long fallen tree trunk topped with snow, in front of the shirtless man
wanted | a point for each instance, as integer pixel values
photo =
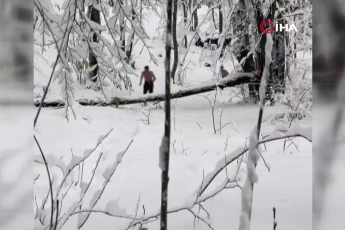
(231, 81)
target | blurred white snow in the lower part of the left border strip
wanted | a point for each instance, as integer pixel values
(16, 167)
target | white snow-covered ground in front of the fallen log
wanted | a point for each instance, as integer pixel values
(287, 186)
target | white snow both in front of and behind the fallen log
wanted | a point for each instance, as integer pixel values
(194, 149)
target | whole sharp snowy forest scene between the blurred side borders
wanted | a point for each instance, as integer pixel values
(158, 114)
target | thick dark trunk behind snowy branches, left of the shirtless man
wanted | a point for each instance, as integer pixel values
(94, 16)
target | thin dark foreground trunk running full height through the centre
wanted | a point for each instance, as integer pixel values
(164, 150)
